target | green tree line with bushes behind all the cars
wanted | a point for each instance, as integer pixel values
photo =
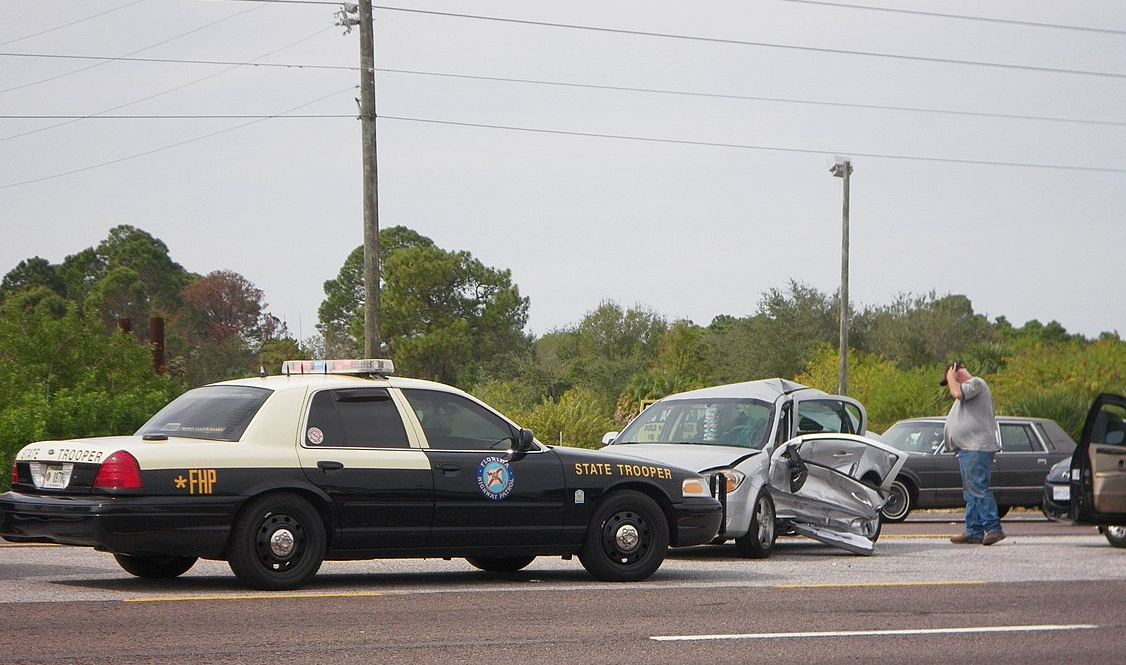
(69, 369)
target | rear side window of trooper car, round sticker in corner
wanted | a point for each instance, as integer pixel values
(360, 418)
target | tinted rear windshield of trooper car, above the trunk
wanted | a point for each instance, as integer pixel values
(217, 414)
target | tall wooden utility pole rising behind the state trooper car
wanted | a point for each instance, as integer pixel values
(363, 19)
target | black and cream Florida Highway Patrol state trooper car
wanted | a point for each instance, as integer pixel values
(337, 460)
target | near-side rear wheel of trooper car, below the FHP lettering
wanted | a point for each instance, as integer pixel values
(278, 543)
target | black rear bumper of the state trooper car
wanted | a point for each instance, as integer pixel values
(120, 525)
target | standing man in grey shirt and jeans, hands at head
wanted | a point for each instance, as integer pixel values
(972, 433)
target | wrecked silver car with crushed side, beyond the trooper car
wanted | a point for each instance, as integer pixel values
(782, 457)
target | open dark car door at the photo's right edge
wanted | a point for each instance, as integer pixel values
(1098, 469)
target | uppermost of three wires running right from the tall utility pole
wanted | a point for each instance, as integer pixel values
(823, 50)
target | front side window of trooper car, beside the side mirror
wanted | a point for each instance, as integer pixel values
(452, 423)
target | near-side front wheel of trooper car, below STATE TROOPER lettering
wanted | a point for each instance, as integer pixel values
(627, 540)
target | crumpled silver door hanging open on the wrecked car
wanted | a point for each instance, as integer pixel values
(830, 488)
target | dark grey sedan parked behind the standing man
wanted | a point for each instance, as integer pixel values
(931, 478)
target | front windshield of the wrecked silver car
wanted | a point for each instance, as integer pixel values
(745, 424)
